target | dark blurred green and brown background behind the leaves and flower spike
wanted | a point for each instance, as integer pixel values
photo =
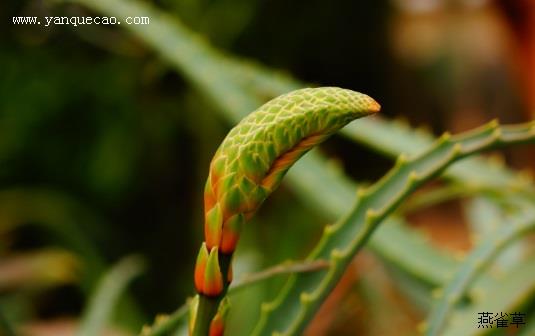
(104, 147)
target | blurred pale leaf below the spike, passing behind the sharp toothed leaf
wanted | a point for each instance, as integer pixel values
(407, 249)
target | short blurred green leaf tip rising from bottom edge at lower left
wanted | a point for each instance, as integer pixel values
(107, 294)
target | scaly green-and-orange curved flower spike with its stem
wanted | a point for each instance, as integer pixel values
(249, 165)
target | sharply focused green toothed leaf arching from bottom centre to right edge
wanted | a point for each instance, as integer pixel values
(298, 301)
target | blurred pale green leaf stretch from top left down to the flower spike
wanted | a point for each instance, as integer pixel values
(188, 52)
